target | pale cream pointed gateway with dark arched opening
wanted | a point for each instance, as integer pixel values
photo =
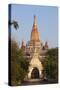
(35, 68)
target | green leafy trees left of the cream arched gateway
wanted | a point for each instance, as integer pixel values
(19, 65)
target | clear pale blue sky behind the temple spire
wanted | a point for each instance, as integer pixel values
(47, 23)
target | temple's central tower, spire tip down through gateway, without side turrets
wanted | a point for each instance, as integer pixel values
(34, 46)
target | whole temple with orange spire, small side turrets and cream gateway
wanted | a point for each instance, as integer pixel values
(35, 53)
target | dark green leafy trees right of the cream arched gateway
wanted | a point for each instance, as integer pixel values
(51, 64)
